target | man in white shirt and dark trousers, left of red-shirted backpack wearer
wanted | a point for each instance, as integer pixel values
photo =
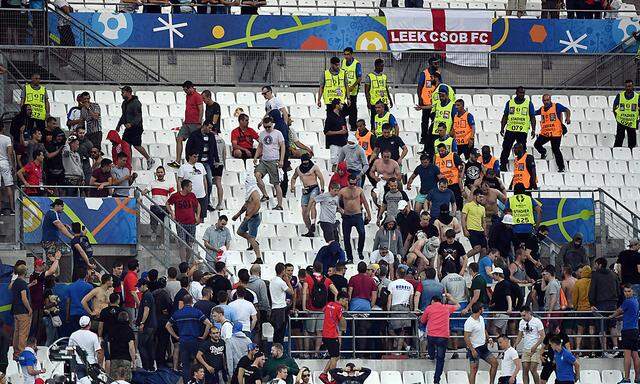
(278, 289)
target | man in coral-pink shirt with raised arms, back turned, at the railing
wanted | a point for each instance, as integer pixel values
(436, 318)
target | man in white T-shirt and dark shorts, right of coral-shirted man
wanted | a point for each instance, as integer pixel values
(477, 339)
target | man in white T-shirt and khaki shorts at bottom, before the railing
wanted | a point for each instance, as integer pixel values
(531, 333)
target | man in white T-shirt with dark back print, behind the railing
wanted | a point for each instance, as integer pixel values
(399, 300)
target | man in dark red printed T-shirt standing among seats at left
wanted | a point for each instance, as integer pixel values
(186, 212)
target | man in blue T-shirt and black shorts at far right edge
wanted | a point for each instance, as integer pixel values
(629, 311)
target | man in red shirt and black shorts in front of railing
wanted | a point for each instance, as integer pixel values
(332, 327)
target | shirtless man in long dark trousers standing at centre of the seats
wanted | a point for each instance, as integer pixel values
(352, 199)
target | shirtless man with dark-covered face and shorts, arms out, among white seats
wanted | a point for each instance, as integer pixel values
(313, 184)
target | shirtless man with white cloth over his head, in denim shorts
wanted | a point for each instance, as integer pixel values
(249, 226)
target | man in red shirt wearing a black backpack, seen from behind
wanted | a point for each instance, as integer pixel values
(314, 298)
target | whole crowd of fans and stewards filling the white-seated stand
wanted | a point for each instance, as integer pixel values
(418, 267)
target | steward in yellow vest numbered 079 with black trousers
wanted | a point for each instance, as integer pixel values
(518, 119)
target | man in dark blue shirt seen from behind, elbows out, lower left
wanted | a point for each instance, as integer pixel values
(188, 322)
